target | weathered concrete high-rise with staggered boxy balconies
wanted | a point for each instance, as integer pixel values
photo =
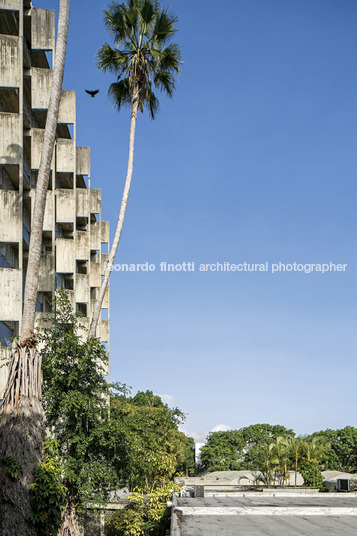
(74, 236)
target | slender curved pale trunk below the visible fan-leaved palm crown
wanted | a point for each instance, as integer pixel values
(124, 201)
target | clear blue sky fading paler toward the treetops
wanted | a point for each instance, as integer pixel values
(254, 160)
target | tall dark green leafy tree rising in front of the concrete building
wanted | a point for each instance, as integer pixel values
(75, 398)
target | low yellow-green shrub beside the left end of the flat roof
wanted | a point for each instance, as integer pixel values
(145, 515)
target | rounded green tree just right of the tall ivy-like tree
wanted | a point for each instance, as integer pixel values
(148, 446)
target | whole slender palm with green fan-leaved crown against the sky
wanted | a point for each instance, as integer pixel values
(143, 60)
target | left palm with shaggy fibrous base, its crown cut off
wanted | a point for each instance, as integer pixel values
(22, 418)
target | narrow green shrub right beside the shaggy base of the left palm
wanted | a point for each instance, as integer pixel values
(48, 495)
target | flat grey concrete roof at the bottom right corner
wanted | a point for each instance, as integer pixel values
(253, 515)
